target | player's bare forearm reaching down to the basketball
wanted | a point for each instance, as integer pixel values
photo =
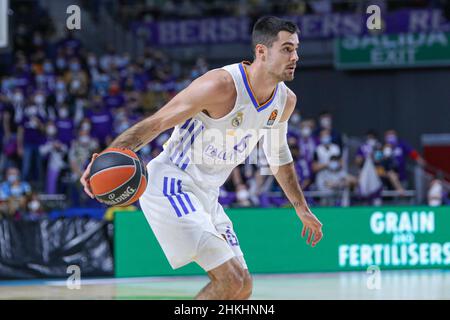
(138, 135)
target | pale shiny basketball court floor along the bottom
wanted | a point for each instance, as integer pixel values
(425, 284)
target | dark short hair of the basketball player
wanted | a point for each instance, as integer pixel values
(265, 31)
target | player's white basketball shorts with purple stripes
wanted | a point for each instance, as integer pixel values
(187, 220)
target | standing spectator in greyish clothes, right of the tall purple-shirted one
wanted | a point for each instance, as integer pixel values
(54, 151)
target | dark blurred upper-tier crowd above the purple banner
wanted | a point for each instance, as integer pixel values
(129, 11)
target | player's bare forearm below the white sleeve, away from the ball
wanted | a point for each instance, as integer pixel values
(288, 180)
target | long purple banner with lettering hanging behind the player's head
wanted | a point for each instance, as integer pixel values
(238, 29)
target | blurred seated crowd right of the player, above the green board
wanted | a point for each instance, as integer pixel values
(380, 164)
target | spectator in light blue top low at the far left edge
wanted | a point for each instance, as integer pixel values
(14, 193)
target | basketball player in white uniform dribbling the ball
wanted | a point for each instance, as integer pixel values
(181, 200)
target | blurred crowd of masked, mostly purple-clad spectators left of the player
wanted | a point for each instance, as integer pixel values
(60, 103)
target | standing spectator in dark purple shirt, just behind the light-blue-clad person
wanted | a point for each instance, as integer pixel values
(30, 135)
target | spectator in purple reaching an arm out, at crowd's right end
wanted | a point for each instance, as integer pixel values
(401, 152)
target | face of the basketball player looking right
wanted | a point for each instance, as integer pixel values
(282, 56)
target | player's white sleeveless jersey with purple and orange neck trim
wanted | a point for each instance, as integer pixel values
(209, 149)
